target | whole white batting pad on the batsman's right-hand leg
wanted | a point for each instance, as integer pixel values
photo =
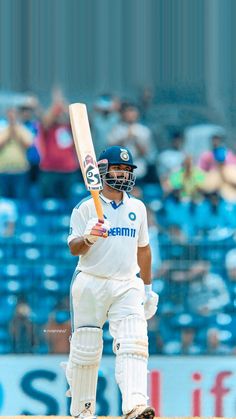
(131, 349)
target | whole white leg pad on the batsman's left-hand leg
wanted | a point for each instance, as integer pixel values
(82, 369)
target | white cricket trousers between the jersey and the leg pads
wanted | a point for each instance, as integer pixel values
(95, 299)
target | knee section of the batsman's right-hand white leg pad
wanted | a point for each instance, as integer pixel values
(132, 337)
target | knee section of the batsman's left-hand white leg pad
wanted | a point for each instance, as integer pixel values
(86, 346)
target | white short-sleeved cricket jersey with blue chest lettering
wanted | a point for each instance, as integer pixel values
(116, 256)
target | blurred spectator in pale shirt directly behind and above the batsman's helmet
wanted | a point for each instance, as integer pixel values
(130, 133)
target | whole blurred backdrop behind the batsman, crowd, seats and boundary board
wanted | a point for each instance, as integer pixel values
(158, 76)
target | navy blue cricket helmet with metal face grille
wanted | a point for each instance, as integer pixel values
(117, 155)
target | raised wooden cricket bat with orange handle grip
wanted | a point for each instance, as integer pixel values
(85, 152)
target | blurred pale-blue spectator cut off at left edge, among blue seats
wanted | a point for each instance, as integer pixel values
(8, 217)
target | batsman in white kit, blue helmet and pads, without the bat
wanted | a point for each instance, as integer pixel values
(112, 281)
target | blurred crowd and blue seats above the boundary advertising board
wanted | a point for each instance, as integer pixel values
(188, 182)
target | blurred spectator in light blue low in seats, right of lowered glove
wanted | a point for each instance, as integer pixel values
(207, 292)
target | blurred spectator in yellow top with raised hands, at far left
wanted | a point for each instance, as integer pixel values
(15, 140)
